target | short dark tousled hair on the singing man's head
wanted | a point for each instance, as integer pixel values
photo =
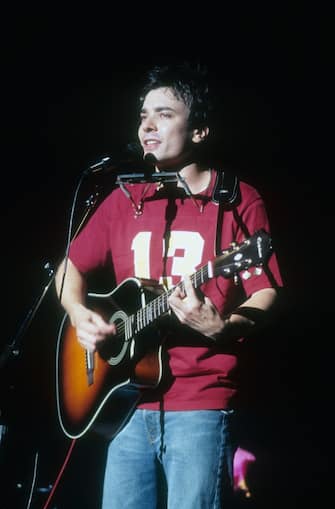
(189, 83)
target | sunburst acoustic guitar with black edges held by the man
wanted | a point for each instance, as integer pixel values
(130, 361)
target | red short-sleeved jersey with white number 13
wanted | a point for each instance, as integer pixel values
(172, 236)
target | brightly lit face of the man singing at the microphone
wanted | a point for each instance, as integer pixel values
(164, 129)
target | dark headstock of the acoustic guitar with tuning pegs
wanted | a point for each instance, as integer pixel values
(253, 251)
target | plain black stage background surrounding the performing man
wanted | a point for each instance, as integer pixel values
(68, 85)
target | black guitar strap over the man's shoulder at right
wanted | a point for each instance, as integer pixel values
(226, 193)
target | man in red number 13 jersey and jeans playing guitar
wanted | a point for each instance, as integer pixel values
(179, 443)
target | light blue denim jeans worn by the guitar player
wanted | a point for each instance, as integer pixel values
(174, 460)
